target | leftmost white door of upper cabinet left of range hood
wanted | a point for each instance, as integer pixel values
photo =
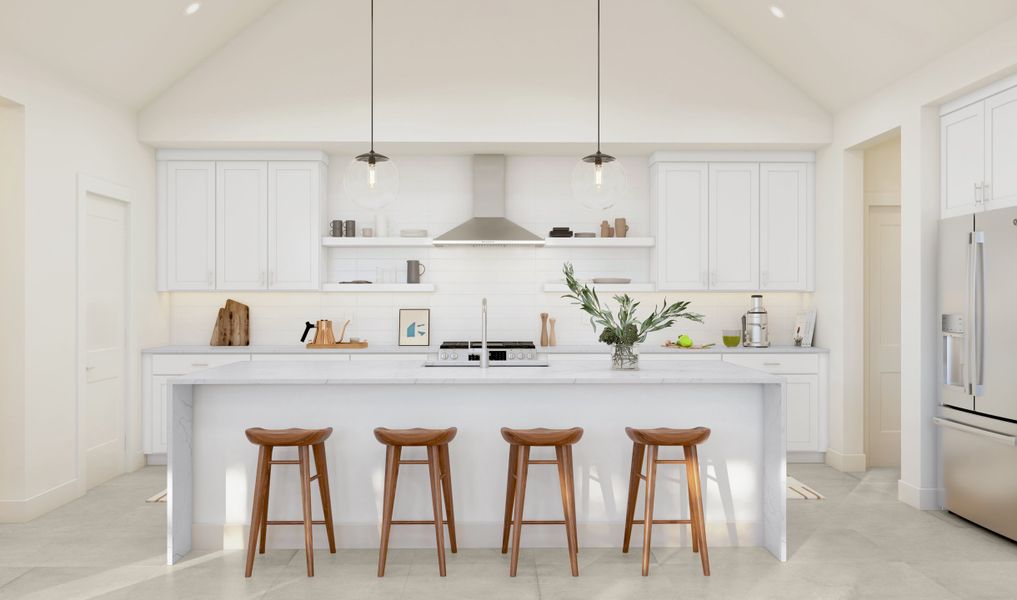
(190, 232)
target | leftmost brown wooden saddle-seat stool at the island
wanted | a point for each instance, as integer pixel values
(305, 441)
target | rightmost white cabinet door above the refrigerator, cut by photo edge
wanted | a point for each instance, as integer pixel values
(1001, 150)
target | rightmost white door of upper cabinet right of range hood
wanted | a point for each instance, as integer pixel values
(786, 226)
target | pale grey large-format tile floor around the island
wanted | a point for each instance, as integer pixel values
(858, 544)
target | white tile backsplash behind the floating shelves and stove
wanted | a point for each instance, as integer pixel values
(437, 194)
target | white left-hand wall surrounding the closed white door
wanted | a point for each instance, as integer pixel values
(68, 133)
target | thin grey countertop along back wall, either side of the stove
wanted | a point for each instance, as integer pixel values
(595, 349)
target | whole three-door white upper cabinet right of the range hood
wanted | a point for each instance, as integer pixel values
(734, 221)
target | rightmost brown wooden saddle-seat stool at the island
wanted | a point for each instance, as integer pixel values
(647, 442)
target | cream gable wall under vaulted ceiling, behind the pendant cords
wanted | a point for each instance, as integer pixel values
(450, 72)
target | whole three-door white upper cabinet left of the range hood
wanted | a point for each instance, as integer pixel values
(241, 220)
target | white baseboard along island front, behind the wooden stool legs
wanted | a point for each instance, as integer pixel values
(233, 536)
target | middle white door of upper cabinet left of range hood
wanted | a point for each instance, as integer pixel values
(242, 225)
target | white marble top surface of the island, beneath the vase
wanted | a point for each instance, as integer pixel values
(413, 373)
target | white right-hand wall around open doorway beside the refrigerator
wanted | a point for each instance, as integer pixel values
(911, 105)
